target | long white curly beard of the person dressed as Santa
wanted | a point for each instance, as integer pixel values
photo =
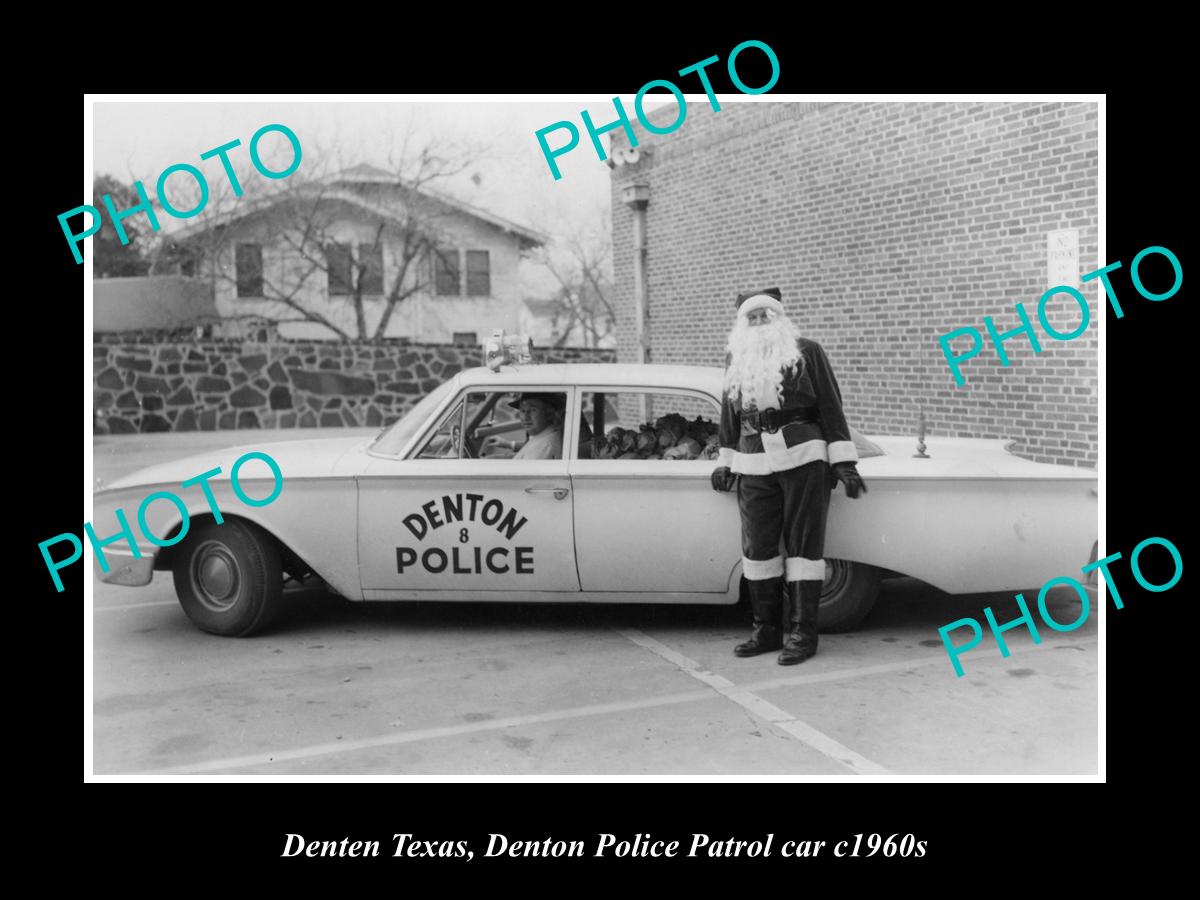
(760, 357)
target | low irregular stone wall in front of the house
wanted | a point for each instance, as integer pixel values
(146, 385)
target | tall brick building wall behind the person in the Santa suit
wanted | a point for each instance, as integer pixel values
(885, 226)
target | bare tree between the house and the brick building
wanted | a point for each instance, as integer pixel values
(581, 262)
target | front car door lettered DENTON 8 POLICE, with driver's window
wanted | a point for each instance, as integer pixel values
(451, 521)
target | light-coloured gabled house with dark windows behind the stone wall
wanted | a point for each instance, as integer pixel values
(333, 259)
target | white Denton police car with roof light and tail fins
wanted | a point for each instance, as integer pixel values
(441, 507)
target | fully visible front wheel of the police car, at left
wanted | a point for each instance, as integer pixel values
(229, 578)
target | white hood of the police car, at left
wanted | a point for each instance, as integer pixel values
(296, 459)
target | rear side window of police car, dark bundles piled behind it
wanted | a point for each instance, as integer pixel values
(649, 425)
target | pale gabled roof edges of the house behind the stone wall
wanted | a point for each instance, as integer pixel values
(367, 173)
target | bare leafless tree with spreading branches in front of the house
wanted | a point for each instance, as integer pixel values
(302, 230)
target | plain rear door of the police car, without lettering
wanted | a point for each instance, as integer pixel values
(651, 525)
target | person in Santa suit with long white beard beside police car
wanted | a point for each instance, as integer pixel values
(783, 441)
